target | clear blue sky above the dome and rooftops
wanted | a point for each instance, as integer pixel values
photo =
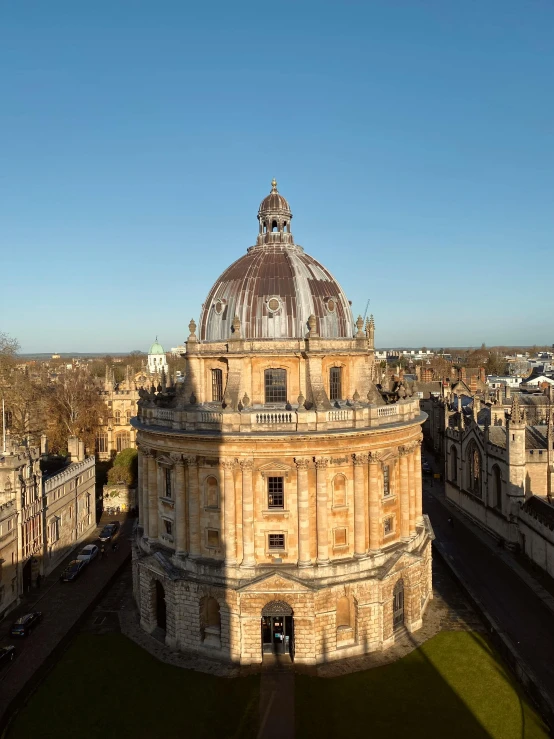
(414, 141)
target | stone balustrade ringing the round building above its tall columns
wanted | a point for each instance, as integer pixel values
(207, 418)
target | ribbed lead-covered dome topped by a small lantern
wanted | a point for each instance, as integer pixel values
(275, 287)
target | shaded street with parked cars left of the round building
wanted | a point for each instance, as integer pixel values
(62, 604)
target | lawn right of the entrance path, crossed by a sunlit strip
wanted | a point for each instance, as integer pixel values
(453, 686)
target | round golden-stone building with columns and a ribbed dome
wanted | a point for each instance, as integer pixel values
(280, 484)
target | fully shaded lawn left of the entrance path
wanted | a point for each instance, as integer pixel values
(106, 686)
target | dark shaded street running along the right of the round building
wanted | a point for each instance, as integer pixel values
(522, 615)
